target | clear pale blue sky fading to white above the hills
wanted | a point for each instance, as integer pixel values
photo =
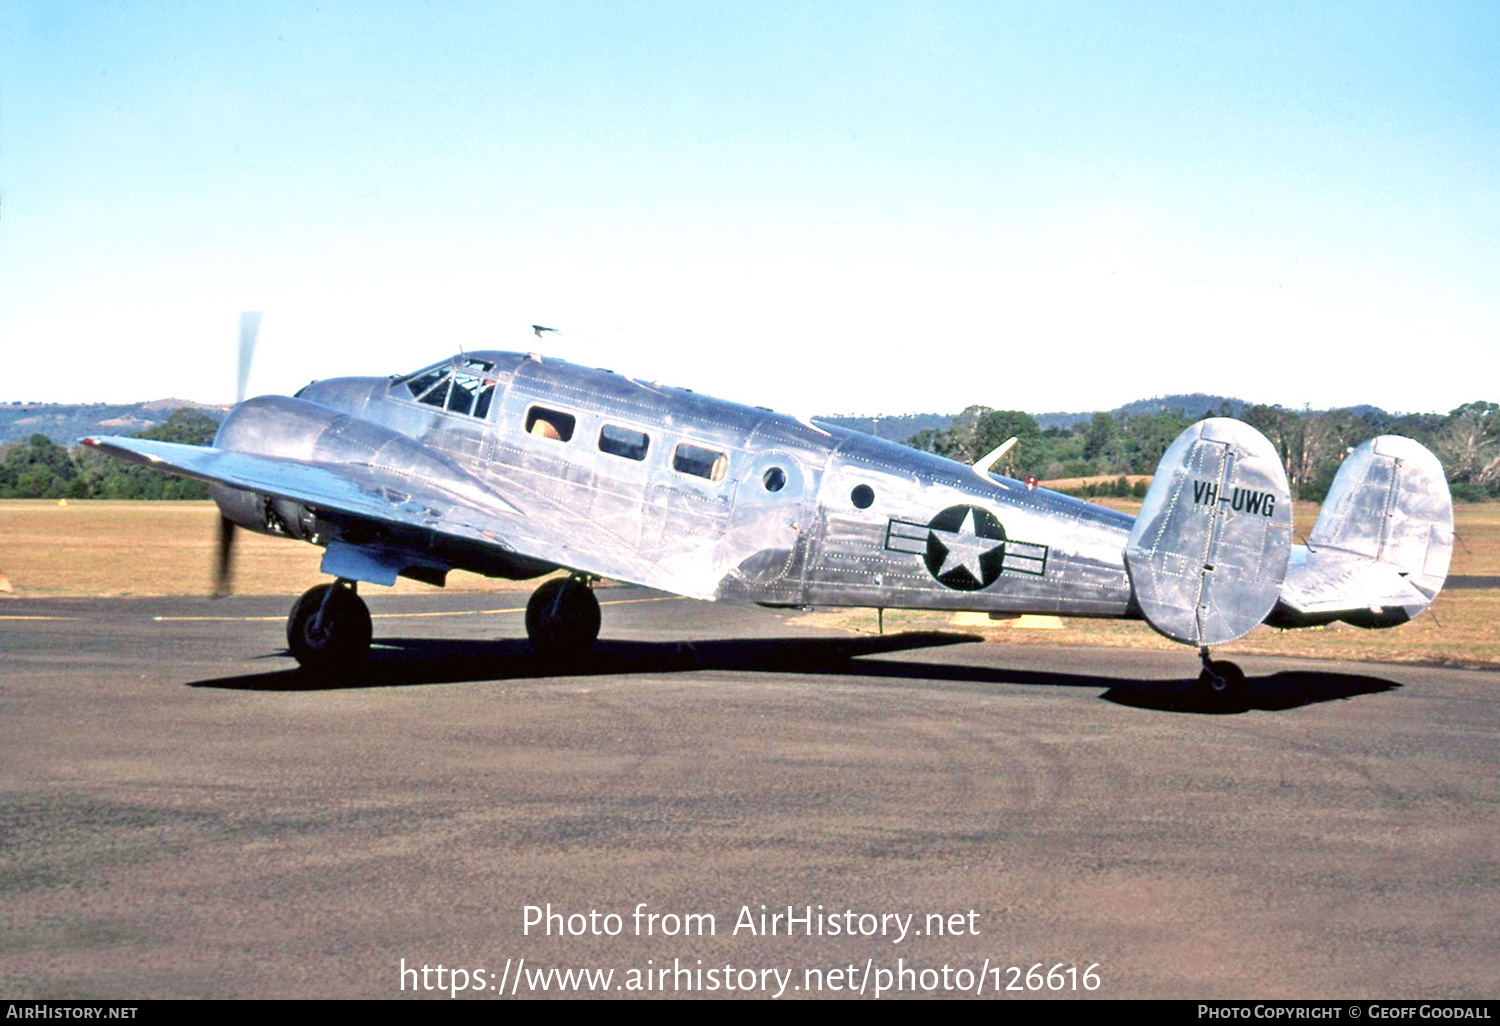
(854, 208)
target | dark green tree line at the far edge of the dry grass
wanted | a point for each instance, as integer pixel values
(1312, 445)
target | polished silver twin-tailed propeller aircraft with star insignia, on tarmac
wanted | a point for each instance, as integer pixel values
(515, 466)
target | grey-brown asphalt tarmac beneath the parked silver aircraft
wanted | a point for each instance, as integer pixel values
(185, 815)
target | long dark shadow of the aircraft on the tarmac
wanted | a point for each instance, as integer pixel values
(397, 662)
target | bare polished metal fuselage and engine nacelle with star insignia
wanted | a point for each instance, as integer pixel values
(800, 515)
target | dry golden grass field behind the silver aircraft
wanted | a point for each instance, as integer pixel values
(101, 548)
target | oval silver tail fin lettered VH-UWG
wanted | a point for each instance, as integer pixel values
(1211, 544)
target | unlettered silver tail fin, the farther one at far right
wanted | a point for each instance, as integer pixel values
(1381, 548)
